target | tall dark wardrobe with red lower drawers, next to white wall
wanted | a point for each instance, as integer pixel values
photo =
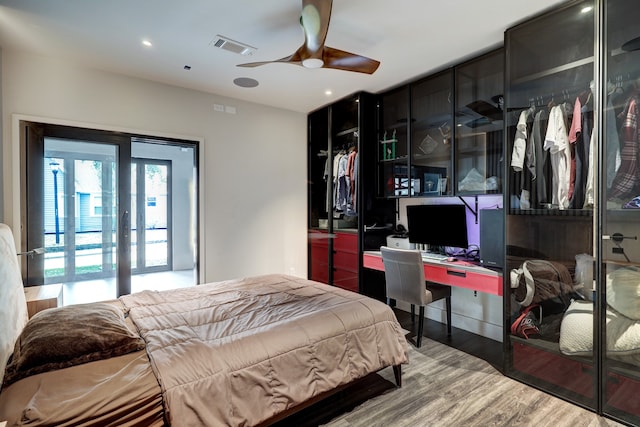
(342, 197)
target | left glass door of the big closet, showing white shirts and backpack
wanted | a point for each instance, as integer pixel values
(550, 73)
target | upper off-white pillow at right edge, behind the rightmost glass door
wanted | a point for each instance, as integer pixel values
(623, 291)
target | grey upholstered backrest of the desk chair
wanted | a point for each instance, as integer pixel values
(404, 274)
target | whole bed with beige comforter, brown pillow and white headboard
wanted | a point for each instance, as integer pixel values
(239, 352)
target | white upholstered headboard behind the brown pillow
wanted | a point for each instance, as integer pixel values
(13, 305)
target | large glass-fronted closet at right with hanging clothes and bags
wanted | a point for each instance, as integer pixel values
(572, 147)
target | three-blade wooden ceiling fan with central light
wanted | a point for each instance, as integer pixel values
(313, 53)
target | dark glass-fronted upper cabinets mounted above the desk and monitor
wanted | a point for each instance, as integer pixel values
(442, 135)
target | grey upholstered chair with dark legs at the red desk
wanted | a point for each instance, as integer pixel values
(404, 274)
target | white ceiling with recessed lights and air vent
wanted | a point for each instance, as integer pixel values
(410, 38)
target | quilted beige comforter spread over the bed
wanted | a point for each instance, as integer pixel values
(242, 351)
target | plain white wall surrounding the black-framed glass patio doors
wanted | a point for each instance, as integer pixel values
(254, 192)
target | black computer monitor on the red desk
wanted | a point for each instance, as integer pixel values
(438, 225)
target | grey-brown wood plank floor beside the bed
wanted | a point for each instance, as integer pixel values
(449, 387)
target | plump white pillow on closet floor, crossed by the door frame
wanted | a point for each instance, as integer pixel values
(576, 332)
